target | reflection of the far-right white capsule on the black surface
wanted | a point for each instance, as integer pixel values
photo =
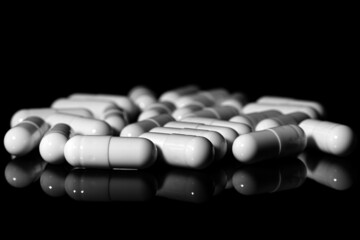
(338, 173)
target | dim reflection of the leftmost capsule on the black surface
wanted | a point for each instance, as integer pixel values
(20, 172)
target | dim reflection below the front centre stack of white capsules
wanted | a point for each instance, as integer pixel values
(186, 185)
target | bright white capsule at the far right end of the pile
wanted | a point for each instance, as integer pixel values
(329, 137)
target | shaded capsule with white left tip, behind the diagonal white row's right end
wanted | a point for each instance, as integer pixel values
(252, 119)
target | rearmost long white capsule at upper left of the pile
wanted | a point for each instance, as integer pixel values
(122, 102)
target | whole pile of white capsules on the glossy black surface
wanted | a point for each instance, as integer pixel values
(184, 127)
